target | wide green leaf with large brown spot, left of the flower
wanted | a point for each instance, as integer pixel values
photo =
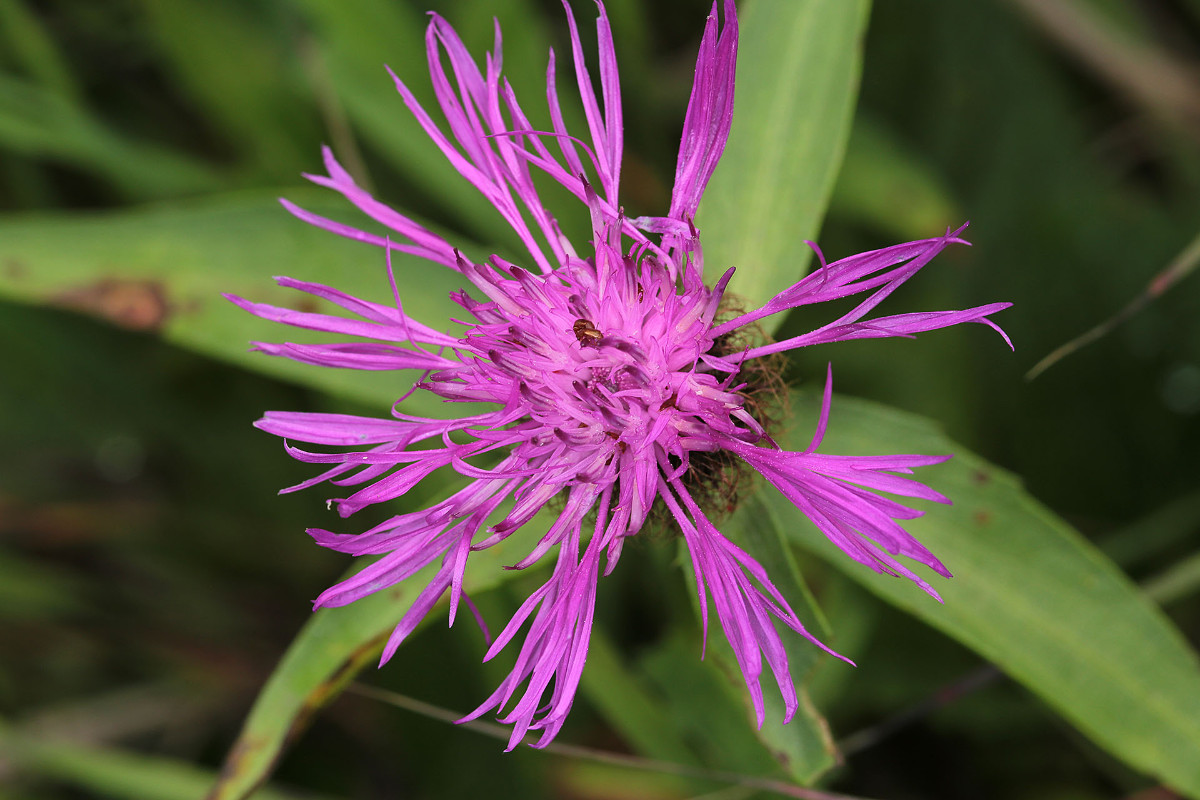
(164, 269)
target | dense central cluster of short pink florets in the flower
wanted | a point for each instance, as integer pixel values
(605, 368)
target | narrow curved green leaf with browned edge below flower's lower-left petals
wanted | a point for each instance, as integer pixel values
(332, 649)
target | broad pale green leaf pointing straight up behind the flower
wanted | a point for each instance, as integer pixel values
(799, 68)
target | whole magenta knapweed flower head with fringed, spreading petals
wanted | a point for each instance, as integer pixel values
(607, 375)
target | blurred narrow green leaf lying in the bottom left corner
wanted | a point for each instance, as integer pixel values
(112, 773)
